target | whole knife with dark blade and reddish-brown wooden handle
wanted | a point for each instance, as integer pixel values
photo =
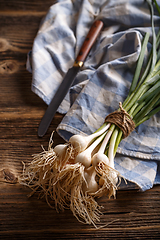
(69, 77)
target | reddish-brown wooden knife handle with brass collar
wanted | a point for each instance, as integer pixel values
(89, 41)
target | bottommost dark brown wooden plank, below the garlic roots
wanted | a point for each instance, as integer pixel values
(132, 214)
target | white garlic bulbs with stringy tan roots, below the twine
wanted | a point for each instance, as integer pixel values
(73, 174)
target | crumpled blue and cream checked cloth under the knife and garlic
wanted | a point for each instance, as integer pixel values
(104, 79)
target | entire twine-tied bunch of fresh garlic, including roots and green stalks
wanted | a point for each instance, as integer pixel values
(75, 173)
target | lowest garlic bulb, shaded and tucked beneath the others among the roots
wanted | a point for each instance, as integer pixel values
(90, 185)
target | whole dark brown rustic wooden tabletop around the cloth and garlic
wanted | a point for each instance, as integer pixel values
(133, 215)
